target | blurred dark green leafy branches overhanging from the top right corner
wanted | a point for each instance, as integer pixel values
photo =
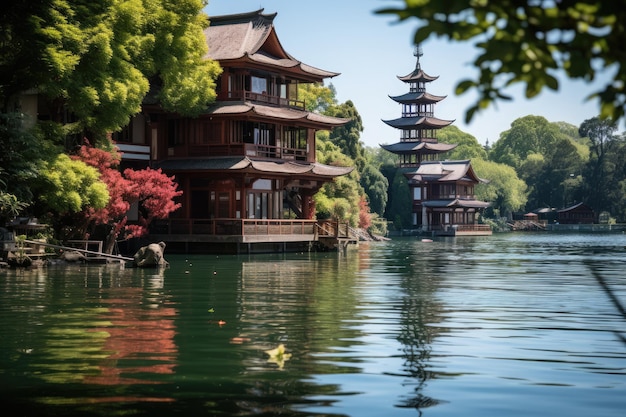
(527, 42)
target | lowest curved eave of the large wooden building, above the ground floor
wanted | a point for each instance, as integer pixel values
(248, 165)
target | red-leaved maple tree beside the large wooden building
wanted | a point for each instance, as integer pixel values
(151, 189)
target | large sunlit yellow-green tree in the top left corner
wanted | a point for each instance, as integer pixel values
(97, 59)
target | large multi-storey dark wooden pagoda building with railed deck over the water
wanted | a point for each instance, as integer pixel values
(247, 166)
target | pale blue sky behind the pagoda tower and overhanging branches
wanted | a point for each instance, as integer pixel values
(371, 50)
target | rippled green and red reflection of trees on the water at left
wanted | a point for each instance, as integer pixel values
(95, 325)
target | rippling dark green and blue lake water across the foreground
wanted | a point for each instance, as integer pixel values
(507, 325)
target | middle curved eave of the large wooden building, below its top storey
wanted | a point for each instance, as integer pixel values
(281, 113)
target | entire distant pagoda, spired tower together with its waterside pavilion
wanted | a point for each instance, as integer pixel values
(442, 192)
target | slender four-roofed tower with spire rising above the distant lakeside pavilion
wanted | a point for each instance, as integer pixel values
(418, 124)
